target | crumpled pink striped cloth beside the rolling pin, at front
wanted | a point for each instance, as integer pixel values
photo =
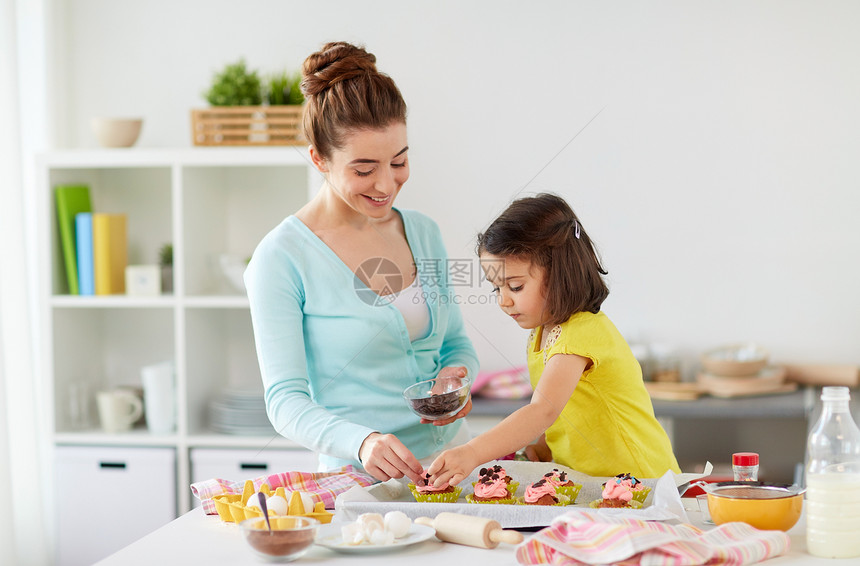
(579, 537)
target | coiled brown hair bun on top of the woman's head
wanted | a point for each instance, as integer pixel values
(335, 62)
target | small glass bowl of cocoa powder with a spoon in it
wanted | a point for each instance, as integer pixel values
(290, 537)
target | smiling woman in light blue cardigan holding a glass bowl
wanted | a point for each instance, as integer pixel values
(346, 297)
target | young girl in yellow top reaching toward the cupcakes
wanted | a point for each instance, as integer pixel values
(590, 410)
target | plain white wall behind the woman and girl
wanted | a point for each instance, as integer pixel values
(719, 176)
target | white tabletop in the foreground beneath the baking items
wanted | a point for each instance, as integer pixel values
(195, 538)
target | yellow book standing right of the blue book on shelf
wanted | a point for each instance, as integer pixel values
(110, 253)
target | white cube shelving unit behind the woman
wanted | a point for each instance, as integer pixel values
(206, 202)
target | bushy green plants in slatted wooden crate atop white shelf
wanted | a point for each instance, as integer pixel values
(237, 115)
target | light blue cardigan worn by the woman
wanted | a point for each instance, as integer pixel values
(333, 366)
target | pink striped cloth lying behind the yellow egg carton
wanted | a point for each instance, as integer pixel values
(323, 486)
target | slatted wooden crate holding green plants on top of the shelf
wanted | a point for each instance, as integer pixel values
(247, 125)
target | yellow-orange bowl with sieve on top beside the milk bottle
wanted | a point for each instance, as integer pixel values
(765, 506)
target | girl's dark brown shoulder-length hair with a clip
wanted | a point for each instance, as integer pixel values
(544, 229)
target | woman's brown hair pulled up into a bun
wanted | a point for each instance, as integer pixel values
(344, 92)
